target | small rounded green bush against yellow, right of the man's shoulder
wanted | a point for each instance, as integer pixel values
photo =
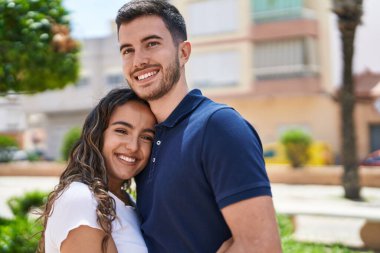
(296, 143)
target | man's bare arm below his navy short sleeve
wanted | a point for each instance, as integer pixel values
(253, 226)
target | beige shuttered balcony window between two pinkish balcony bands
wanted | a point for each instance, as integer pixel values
(286, 58)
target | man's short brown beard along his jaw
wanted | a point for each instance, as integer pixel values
(171, 77)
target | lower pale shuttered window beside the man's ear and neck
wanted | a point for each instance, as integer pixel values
(214, 69)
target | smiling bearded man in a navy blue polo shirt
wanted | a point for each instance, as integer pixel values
(206, 180)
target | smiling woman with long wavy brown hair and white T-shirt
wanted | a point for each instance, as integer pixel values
(89, 210)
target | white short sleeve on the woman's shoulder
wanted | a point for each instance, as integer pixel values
(75, 207)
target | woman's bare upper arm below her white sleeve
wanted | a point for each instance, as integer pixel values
(85, 239)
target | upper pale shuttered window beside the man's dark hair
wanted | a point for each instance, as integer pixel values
(213, 17)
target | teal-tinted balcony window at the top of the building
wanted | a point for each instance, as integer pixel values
(276, 10)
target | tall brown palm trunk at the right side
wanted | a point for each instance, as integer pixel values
(349, 14)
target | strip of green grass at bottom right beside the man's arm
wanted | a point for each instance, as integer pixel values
(289, 245)
